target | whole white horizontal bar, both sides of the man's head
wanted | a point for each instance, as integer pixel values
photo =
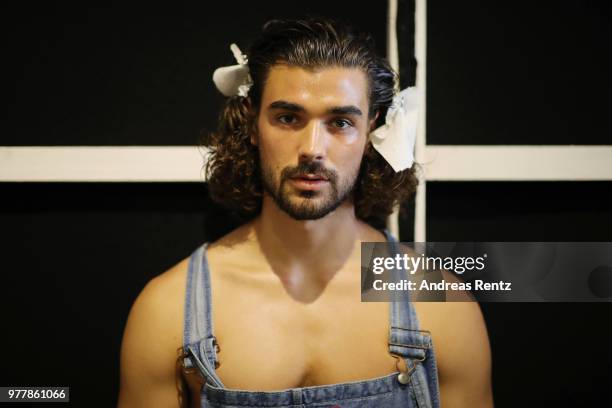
(175, 164)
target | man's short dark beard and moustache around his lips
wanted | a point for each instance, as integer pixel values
(308, 209)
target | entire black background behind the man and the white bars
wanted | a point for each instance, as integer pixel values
(75, 255)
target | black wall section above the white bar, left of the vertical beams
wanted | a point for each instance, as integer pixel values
(136, 75)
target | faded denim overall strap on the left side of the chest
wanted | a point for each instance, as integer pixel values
(199, 343)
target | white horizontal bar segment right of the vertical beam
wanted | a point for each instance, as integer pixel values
(526, 163)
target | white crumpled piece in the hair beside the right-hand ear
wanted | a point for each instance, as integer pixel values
(395, 139)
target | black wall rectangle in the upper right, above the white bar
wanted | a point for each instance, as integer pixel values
(509, 72)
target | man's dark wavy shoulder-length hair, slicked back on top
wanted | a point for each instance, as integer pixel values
(233, 169)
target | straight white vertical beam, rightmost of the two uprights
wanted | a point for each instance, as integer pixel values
(420, 50)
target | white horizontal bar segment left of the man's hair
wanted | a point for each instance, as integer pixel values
(101, 163)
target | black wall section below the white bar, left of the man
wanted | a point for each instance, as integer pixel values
(75, 256)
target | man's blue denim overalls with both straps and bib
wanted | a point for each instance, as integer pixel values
(415, 384)
